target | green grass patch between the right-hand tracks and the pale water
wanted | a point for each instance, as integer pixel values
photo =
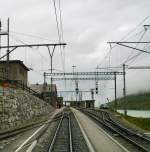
(143, 123)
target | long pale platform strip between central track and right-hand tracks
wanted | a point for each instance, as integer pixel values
(97, 139)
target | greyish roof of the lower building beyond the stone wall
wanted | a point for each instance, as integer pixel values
(41, 88)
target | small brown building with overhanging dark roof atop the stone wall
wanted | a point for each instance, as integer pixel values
(17, 71)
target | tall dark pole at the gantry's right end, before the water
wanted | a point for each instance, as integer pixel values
(124, 90)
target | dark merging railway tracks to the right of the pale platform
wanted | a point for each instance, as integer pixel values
(105, 121)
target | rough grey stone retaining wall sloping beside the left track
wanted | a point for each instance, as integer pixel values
(20, 108)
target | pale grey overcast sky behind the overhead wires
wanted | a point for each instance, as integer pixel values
(87, 26)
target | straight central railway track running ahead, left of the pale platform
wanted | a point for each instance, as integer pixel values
(67, 136)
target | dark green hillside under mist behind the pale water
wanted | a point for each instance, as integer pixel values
(134, 102)
